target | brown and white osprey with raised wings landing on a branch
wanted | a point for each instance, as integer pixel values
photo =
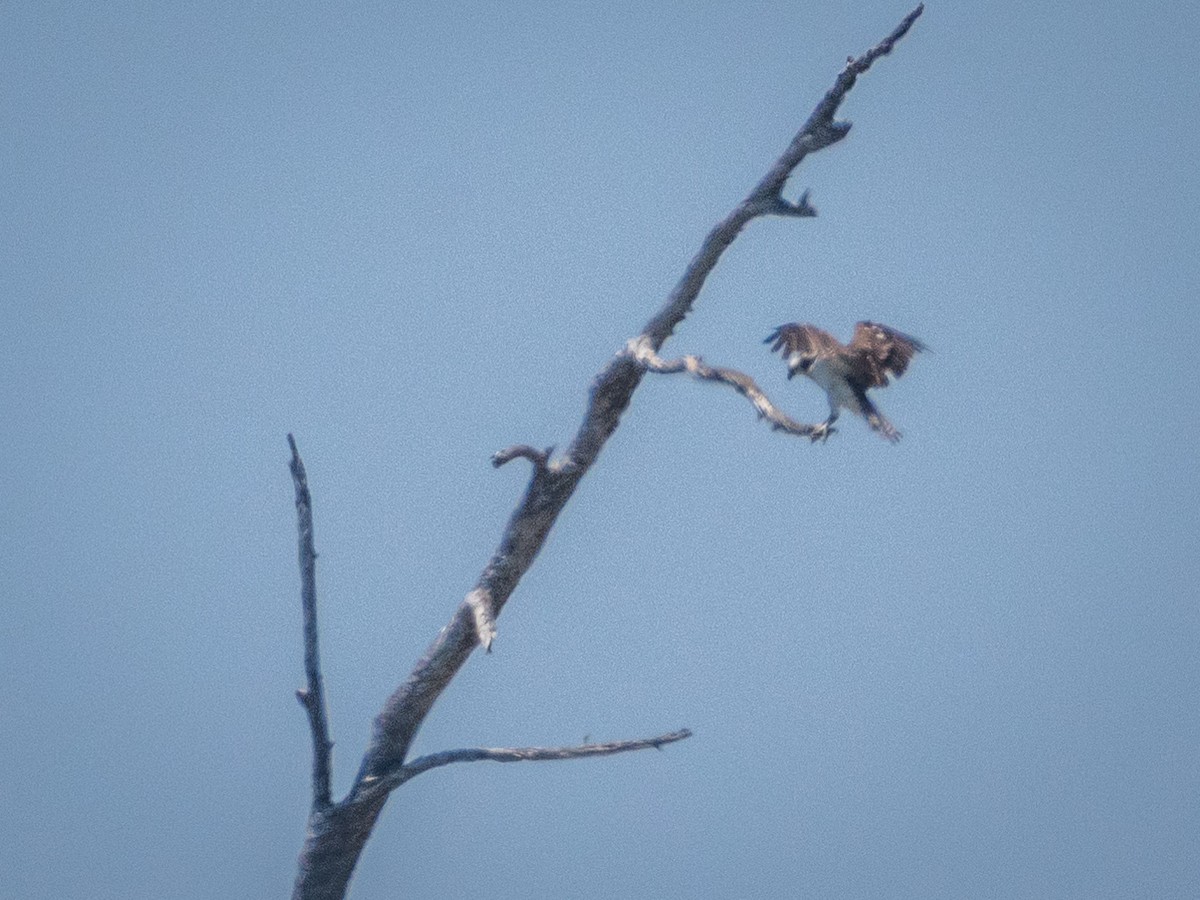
(848, 371)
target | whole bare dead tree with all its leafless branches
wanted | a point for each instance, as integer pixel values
(339, 831)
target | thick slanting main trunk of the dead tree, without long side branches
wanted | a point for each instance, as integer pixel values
(338, 836)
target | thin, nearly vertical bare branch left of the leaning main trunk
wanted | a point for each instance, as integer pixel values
(313, 699)
